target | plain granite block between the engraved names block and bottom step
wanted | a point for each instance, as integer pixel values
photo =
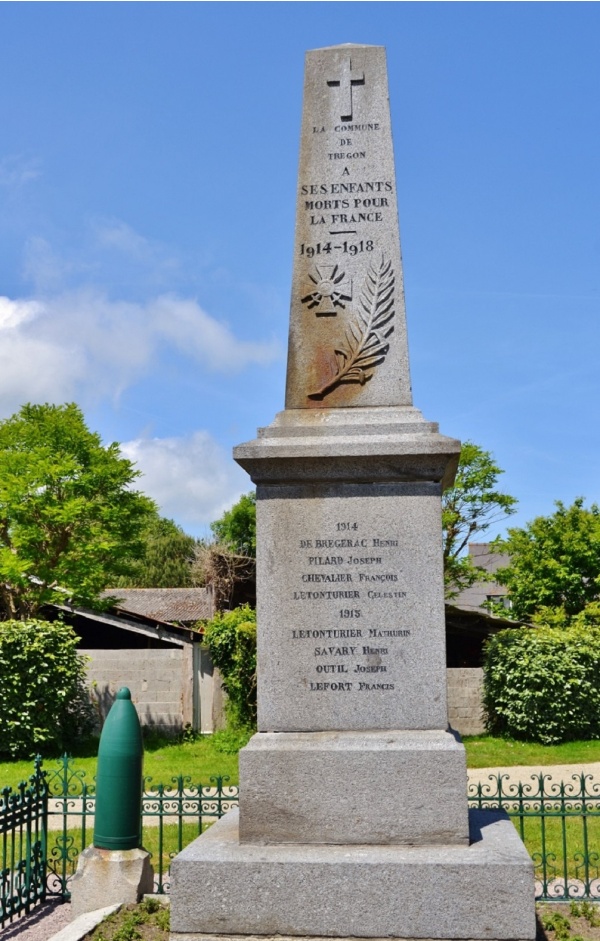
(336, 787)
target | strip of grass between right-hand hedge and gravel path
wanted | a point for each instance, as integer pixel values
(483, 751)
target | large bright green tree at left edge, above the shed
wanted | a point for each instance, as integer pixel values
(69, 518)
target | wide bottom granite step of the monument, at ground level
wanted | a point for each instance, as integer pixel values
(222, 888)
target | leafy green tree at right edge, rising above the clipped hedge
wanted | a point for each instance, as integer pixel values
(554, 570)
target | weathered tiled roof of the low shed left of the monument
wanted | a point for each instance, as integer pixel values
(177, 605)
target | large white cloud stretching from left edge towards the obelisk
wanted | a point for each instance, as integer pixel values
(82, 345)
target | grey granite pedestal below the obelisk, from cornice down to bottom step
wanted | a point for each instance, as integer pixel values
(347, 830)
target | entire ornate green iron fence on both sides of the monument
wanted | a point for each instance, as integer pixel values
(45, 824)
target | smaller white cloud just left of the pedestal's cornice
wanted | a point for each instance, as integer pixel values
(191, 478)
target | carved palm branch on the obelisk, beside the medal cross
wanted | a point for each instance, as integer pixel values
(366, 335)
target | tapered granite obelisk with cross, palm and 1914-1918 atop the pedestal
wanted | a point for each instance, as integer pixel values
(347, 321)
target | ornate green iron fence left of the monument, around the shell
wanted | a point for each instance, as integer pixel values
(47, 823)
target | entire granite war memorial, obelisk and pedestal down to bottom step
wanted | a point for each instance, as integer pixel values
(353, 818)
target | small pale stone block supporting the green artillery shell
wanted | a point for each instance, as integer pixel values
(105, 877)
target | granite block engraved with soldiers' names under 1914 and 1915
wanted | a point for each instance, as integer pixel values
(350, 608)
